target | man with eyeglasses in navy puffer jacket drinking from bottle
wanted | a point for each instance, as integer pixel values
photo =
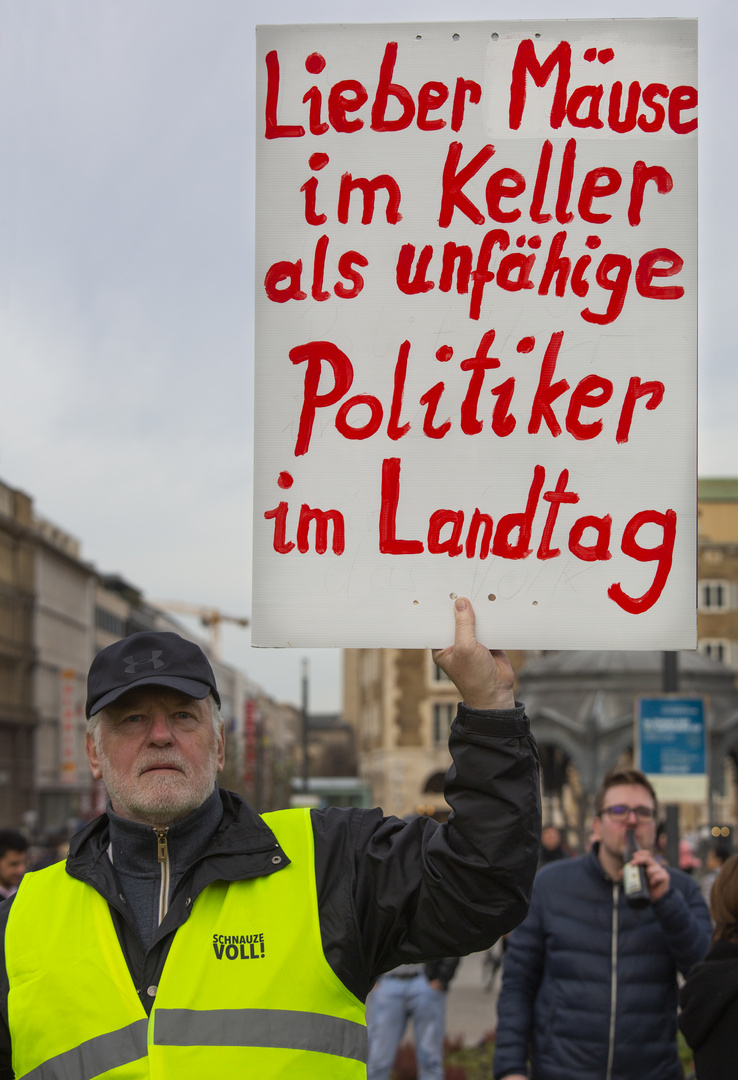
(589, 990)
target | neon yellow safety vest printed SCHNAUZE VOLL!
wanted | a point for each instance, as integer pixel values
(246, 991)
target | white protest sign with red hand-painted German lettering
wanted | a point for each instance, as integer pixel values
(476, 334)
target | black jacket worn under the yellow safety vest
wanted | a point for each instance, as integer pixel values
(390, 892)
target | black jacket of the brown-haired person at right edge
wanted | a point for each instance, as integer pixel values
(709, 1017)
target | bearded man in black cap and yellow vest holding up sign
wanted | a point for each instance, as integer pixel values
(191, 938)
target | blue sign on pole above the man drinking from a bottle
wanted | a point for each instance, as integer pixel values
(673, 737)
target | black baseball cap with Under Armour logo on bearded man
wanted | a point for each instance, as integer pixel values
(152, 658)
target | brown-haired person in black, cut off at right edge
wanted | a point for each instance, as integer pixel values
(709, 998)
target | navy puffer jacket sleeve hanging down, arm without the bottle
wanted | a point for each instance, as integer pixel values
(522, 970)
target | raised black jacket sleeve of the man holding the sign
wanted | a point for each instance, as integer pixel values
(419, 890)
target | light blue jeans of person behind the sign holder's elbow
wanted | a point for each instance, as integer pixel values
(391, 1005)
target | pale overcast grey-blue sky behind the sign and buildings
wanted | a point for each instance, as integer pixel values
(127, 143)
